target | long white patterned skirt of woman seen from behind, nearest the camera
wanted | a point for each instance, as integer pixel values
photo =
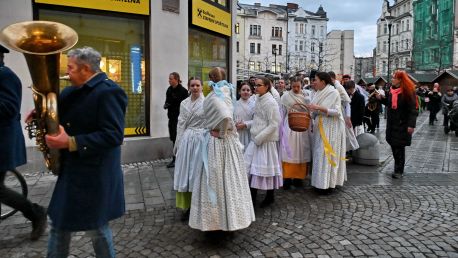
(227, 177)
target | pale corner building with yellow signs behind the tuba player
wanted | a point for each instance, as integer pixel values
(141, 43)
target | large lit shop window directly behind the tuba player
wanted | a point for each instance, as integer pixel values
(121, 42)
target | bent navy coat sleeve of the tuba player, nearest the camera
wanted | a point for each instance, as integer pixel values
(110, 115)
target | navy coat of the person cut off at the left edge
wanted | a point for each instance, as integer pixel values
(12, 145)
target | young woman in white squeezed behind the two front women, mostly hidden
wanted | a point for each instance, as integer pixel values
(243, 114)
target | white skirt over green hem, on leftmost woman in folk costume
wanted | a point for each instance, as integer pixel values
(188, 160)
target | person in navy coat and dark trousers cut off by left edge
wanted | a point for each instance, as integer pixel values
(12, 147)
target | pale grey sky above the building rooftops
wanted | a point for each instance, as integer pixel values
(358, 15)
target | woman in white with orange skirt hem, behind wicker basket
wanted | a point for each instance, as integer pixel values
(295, 147)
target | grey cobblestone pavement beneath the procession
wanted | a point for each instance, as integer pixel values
(372, 215)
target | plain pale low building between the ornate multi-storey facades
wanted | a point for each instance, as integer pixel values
(338, 53)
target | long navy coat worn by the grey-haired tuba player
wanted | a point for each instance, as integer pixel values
(90, 188)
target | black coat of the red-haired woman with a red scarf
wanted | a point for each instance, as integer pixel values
(398, 120)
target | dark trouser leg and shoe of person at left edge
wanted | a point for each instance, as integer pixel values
(17, 201)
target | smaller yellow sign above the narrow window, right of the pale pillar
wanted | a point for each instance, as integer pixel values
(210, 17)
